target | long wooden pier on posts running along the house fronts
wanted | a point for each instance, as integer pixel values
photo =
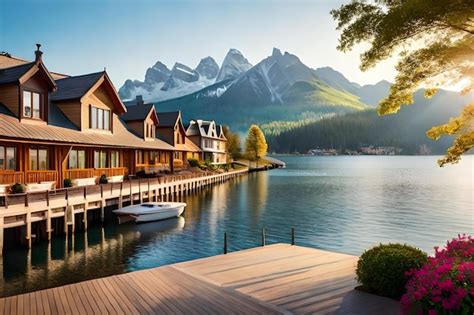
(43, 207)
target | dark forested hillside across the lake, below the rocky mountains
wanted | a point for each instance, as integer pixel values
(350, 131)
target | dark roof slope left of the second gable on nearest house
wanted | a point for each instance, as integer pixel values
(75, 87)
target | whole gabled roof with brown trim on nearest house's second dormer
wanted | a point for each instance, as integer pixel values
(76, 87)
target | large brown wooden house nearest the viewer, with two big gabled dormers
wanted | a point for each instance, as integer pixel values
(55, 127)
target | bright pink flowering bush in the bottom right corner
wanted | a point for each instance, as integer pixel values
(444, 285)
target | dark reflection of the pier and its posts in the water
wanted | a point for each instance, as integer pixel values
(80, 256)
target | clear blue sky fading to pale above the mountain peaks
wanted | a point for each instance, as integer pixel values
(126, 37)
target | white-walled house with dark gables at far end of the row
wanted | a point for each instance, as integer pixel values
(210, 137)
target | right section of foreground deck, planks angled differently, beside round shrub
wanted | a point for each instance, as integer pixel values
(297, 279)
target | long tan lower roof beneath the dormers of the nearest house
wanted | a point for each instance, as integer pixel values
(12, 129)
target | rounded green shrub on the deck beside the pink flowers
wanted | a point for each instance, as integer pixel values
(381, 270)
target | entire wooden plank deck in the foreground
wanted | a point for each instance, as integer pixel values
(275, 279)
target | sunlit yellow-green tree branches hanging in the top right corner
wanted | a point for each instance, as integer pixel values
(437, 43)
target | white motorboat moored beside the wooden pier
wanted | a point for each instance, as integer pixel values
(150, 211)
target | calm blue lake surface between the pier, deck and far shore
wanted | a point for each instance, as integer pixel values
(345, 204)
